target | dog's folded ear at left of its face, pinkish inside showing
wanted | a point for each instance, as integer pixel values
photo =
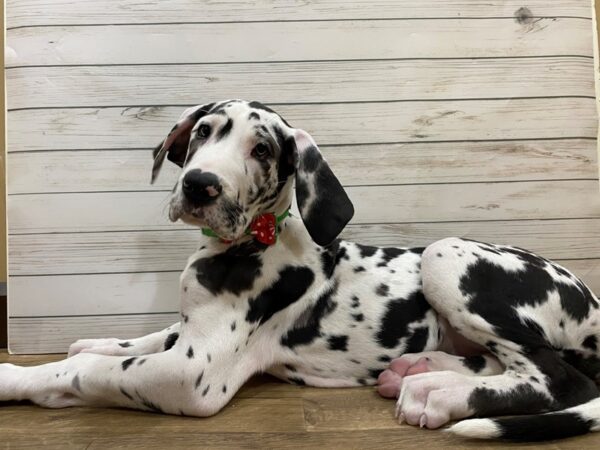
(175, 145)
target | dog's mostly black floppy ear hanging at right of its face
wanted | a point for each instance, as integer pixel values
(324, 206)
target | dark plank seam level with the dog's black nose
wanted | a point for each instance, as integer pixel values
(432, 183)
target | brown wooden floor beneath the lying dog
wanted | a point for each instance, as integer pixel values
(264, 414)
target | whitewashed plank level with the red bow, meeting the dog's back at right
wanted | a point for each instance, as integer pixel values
(74, 253)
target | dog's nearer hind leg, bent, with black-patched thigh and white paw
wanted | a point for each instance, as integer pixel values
(455, 277)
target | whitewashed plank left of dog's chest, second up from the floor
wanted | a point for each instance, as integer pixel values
(73, 295)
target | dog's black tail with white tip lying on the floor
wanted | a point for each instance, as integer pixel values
(569, 422)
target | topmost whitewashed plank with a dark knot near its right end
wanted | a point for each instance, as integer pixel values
(61, 12)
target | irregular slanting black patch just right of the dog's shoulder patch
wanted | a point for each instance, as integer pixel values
(308, 326)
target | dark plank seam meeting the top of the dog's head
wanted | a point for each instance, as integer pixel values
(348, 102)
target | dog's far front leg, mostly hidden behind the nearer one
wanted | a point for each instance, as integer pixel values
(151, 343)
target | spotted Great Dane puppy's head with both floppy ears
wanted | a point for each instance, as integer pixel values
(240, 160)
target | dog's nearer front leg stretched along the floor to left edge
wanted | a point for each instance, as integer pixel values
(175, 381)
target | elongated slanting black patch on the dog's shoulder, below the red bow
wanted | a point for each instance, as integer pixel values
(292, 284)
